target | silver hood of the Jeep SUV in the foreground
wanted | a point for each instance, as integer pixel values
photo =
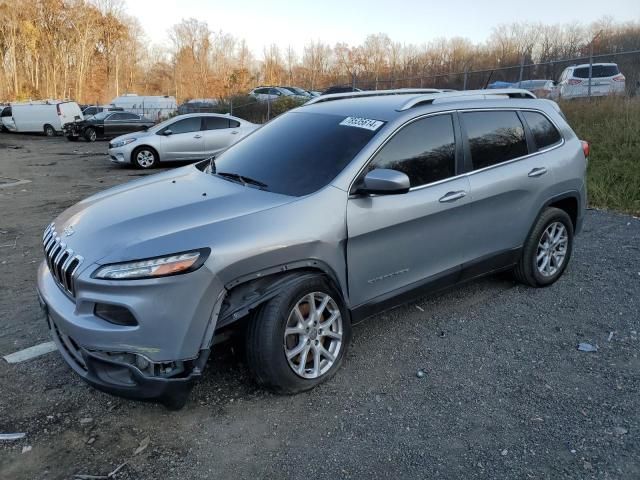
(160, 214)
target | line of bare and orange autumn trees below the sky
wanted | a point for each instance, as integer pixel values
(92, 51)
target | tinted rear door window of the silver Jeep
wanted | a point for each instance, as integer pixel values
(494, 137)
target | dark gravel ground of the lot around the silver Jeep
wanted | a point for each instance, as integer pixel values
(506, 393)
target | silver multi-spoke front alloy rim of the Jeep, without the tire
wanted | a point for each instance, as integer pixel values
(313, 335)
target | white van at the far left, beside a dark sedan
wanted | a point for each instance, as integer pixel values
(47, 116)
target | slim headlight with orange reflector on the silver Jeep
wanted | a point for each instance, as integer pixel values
(153, 267)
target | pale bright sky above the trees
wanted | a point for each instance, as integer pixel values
(410, 21)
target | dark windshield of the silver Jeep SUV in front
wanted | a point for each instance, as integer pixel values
(295, 154)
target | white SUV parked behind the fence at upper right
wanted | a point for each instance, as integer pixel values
(606, 79)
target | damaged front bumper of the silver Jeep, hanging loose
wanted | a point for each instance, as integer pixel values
(93, 347)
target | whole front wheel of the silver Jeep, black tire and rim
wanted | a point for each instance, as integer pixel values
(267, 346)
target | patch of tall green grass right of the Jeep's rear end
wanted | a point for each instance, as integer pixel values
(612, 127)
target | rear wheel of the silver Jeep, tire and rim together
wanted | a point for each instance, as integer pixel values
(552, 223)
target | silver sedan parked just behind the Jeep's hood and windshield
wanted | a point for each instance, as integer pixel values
(183, 138)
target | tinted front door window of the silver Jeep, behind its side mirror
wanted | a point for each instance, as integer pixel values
(424, 150)
